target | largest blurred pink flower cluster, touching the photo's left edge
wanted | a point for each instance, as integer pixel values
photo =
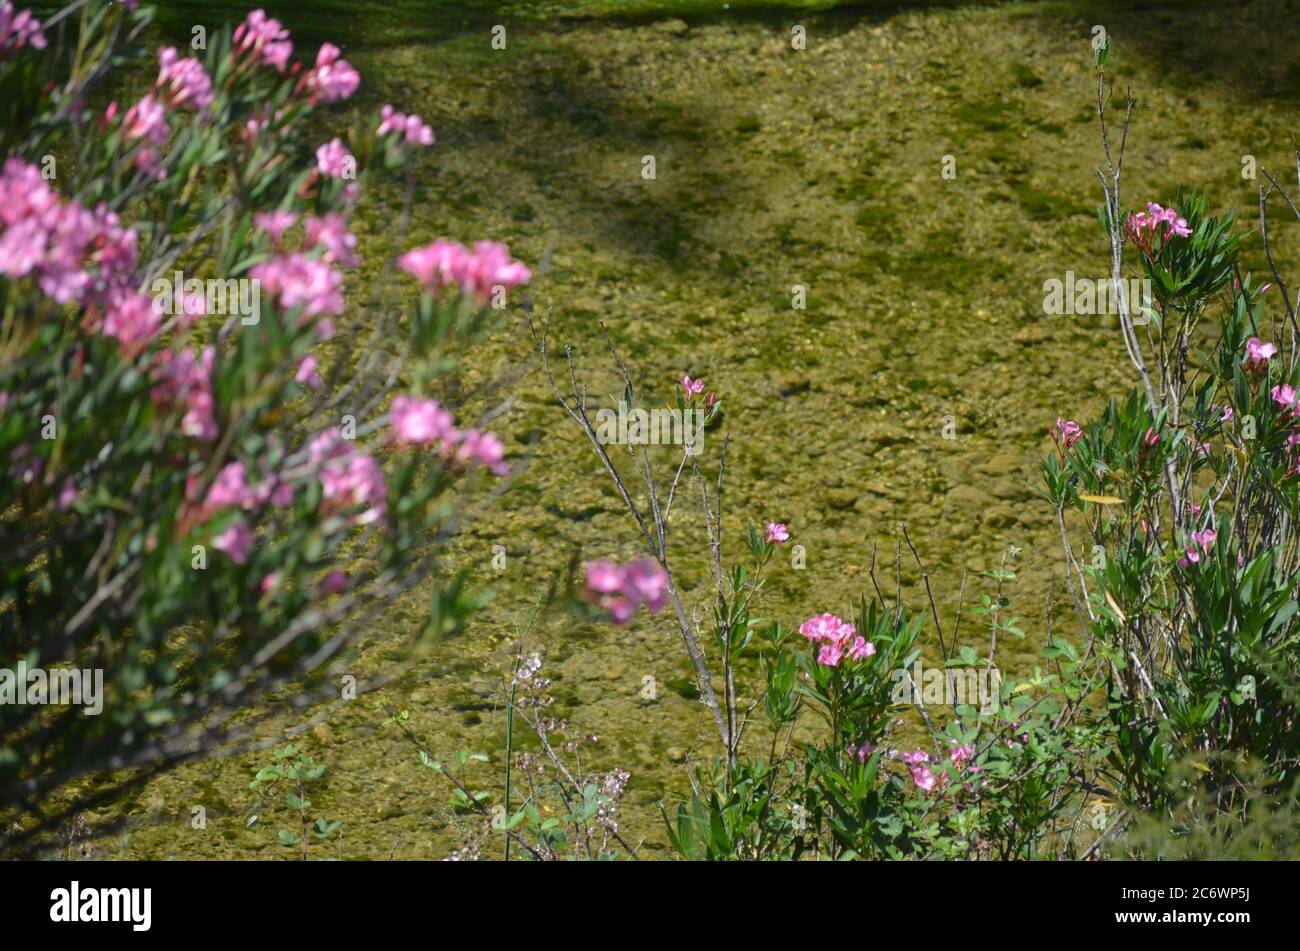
(75, 255)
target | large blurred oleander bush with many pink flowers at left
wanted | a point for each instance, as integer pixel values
(201, 498)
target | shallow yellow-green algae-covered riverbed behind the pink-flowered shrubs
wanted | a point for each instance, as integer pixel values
(775, 167)
